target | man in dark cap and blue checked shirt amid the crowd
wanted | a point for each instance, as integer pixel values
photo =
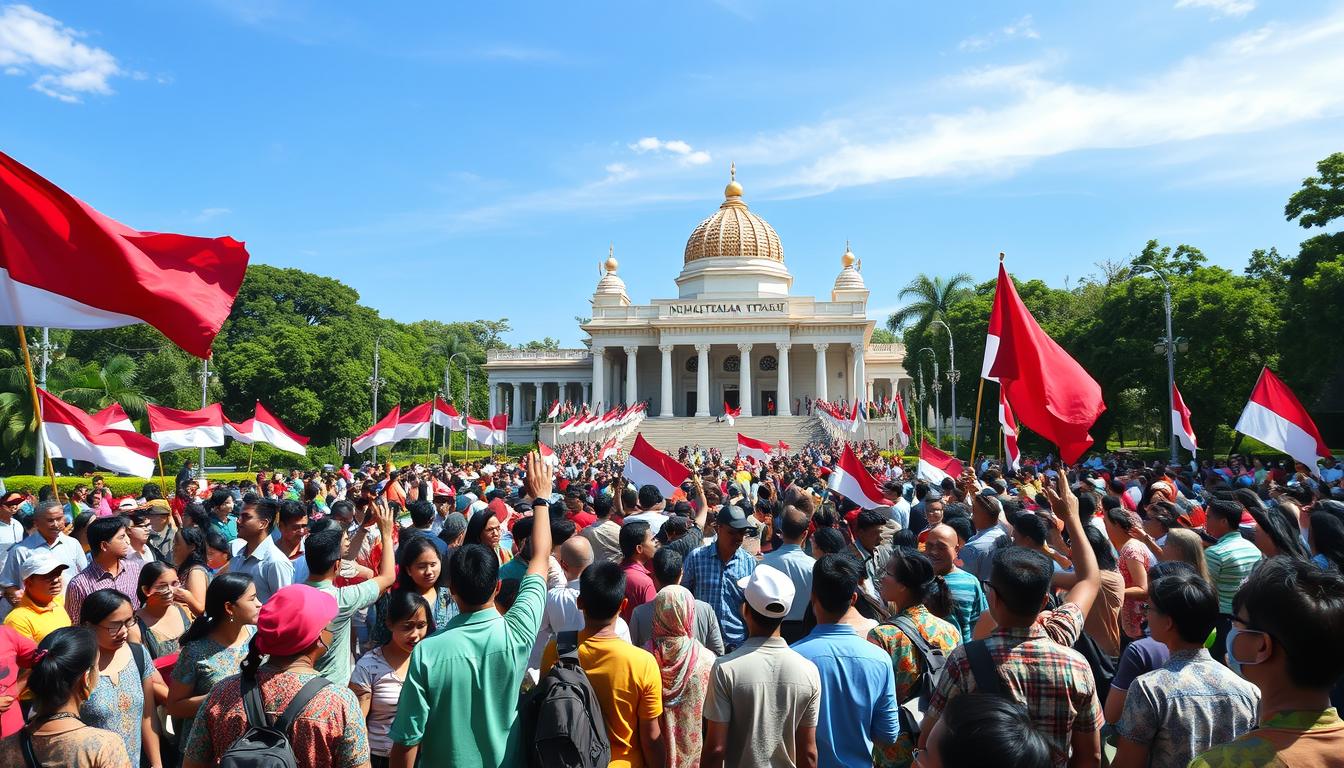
(713, 571)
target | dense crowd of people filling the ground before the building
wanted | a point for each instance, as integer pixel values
(550, 614)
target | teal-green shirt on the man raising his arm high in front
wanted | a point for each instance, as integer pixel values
(460, 697)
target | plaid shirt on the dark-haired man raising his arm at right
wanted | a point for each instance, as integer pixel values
(1038, 669)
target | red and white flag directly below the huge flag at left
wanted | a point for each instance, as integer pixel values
(72, 434)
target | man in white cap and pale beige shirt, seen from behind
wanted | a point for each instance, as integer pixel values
(764, 699)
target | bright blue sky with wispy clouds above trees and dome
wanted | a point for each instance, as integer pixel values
(475, 161)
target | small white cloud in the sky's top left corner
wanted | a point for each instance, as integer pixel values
(37, 45)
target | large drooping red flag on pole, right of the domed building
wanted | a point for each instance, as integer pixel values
(1050, 393)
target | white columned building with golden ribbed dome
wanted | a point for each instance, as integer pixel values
(736, 334)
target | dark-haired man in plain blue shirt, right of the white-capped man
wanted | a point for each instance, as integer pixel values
(858, 687)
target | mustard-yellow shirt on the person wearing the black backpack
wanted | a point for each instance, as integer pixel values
(628, 685)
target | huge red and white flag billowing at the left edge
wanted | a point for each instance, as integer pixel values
(65, 266)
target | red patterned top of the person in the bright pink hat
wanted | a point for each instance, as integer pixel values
(330, 732)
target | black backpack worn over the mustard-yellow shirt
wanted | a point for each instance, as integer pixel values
(564, 724)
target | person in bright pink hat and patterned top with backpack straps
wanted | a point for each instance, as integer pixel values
(327, 727)
